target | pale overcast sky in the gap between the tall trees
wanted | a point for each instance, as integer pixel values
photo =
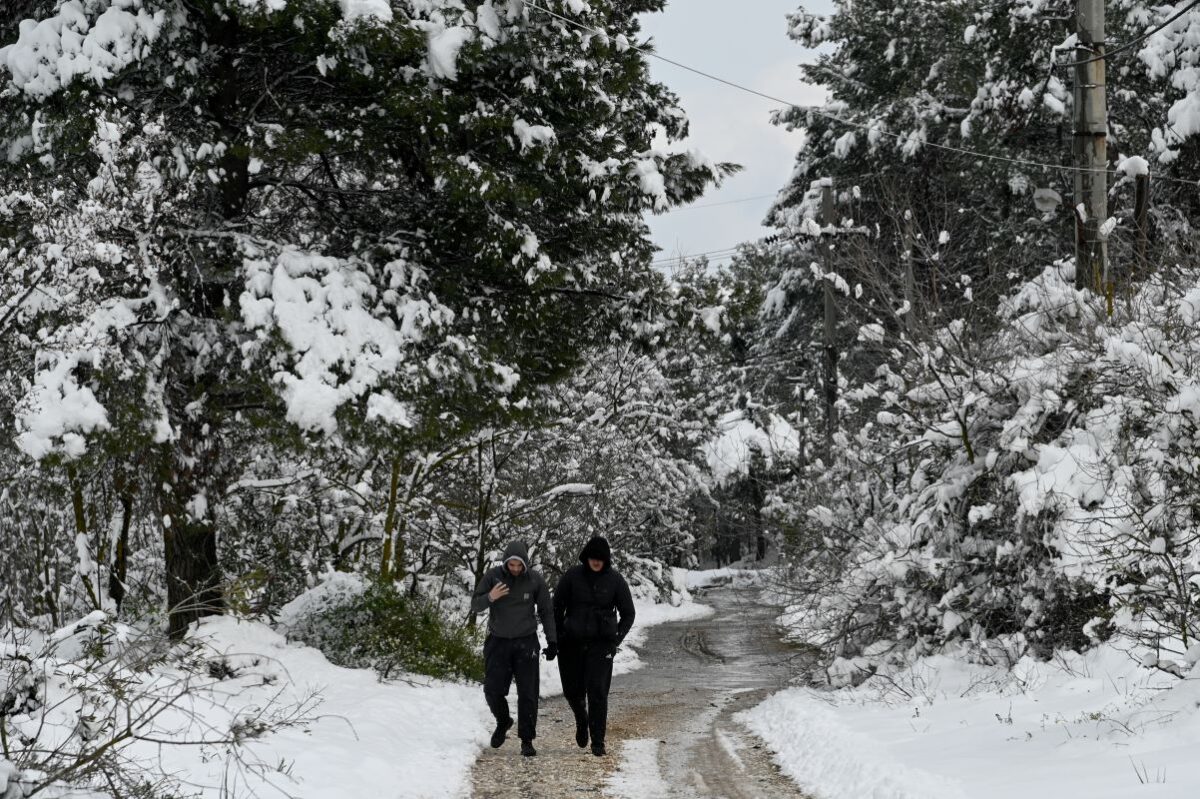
(745, 41)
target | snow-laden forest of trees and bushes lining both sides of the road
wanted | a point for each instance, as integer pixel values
(293, 290)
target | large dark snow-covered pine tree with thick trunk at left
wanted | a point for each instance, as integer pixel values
(220, 215)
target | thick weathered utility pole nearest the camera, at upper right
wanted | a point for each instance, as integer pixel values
(1091, 149)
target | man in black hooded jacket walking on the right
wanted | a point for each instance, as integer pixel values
(587, 602)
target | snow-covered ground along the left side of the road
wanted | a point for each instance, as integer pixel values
(418, 737)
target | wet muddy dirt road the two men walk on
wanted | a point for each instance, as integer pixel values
(671, 728)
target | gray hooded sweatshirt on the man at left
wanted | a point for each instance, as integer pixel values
(513, 615)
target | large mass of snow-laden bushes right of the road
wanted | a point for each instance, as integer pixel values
(1025, 490)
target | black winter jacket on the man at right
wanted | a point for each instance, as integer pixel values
(587, 605)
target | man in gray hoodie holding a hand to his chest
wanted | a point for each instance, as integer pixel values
(512, 593)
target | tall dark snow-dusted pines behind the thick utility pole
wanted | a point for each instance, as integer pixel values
(955, 117)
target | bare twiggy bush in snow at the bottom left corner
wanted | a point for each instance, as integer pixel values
(100, 708)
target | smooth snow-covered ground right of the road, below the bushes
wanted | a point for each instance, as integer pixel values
(1096, 725)
